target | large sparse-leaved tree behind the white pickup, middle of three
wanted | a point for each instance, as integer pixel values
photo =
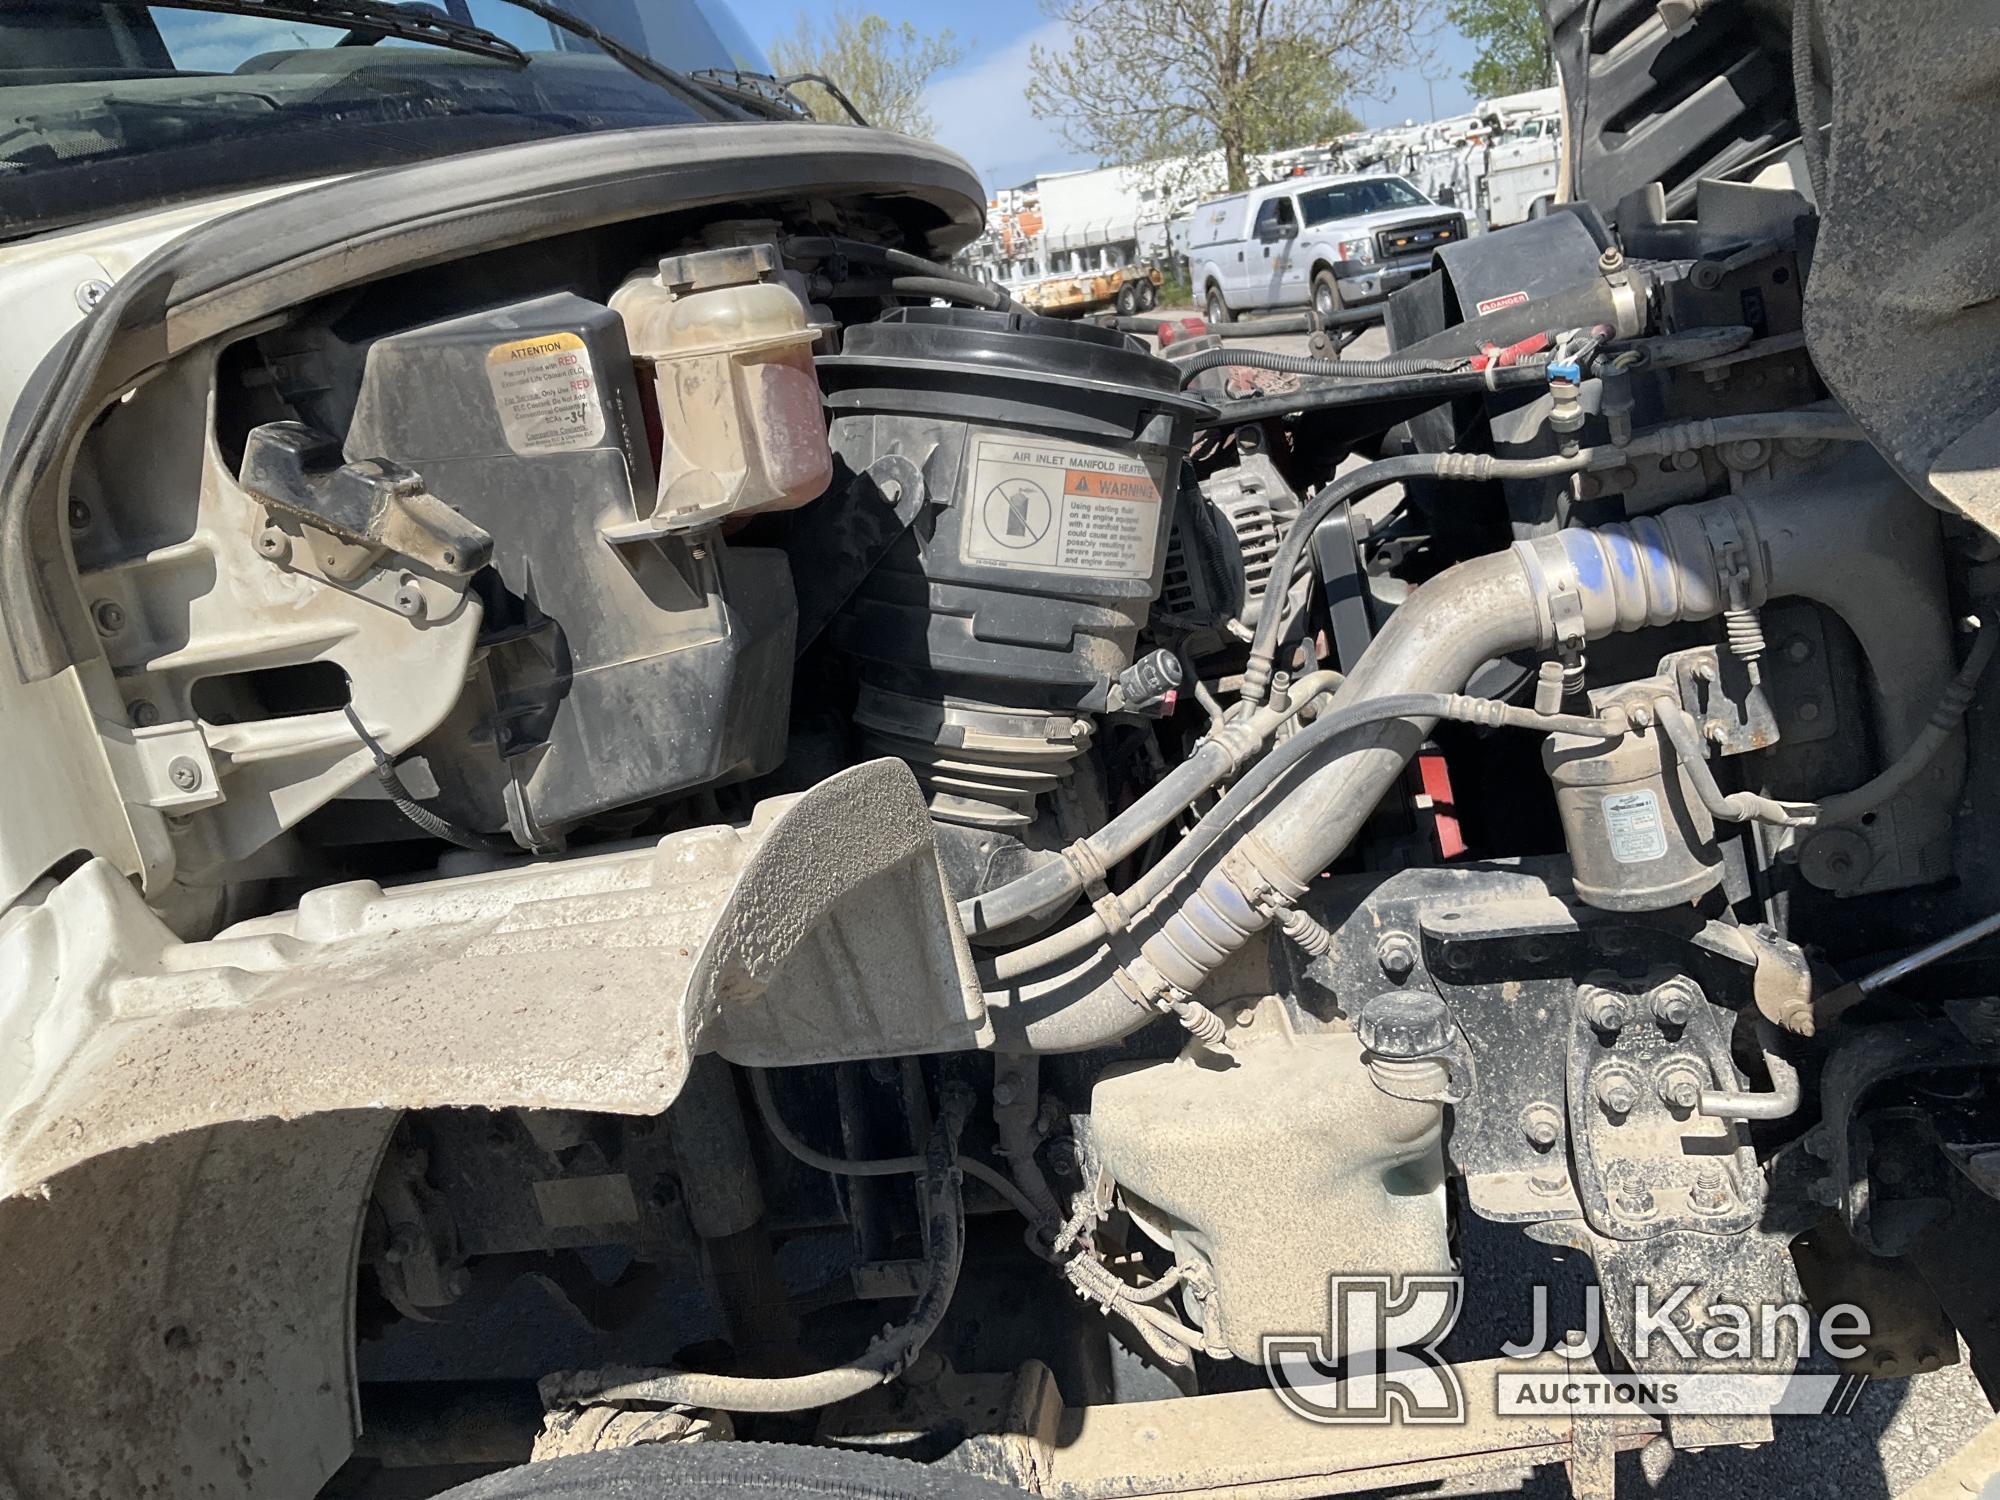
(1171, 83)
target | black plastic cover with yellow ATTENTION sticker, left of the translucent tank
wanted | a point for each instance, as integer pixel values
(615, 675)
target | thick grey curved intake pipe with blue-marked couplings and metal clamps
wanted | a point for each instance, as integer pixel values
(1869, 553)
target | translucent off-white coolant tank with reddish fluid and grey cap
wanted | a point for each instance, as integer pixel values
(731, 353)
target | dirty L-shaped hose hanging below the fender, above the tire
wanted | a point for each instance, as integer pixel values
(885, 1359)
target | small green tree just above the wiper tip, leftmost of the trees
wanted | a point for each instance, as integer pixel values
(883, 69)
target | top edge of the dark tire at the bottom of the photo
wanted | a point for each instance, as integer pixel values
(755, 1471)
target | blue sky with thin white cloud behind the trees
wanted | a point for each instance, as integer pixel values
(979, 107)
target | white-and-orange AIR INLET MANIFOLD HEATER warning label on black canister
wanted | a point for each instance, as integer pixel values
(1061, 507)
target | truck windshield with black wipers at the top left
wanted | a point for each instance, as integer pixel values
(109, 107)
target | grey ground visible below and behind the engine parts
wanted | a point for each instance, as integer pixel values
(1895, 1435)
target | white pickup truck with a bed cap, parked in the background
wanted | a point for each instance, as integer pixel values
(1329, 243)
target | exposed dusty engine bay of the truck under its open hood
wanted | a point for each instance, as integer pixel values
(999, 857)
